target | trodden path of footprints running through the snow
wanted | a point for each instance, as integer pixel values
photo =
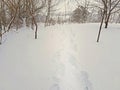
(69, 75)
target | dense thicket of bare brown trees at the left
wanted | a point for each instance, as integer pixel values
(13, 13)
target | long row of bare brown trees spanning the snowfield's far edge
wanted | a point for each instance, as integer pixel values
(16, 13)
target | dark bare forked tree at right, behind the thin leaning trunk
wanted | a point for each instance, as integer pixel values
(109, 7)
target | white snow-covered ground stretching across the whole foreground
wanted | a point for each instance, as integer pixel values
(64, 57)
